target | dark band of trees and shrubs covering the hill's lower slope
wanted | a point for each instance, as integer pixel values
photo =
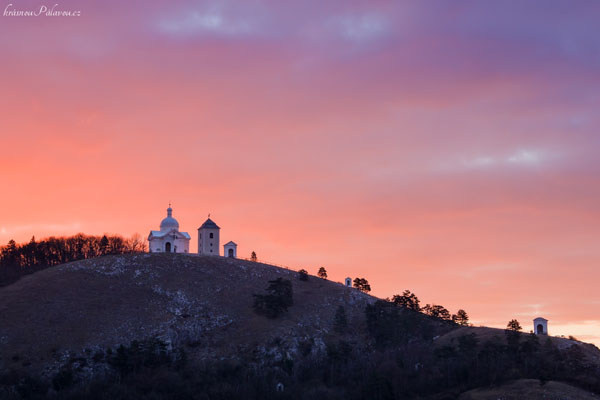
(345, 369)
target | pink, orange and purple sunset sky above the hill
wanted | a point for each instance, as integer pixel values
(445, 147)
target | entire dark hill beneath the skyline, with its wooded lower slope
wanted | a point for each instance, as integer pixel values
(182, 326)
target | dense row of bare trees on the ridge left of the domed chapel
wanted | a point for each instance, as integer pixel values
(17, 260)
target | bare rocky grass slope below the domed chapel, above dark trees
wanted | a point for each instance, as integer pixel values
(201, 302)
